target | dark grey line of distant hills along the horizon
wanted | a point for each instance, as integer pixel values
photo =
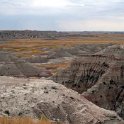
(28, 34)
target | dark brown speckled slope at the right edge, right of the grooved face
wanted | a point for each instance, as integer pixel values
(109, 91)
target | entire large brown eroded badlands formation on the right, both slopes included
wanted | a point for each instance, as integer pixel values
(99, 77)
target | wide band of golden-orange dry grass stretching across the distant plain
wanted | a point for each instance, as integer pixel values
(29, 47)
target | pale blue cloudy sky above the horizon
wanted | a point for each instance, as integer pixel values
(62, 15)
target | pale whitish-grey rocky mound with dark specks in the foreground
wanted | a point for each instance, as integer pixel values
(34, 97)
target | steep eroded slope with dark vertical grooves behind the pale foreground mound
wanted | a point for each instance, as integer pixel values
(84, 72)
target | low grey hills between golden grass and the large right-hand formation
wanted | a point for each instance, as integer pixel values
(77, 50)
